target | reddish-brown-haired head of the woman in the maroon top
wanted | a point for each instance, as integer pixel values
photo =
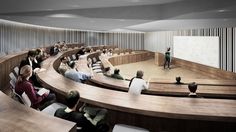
(25, 73)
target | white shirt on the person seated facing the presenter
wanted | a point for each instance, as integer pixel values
(137, 85)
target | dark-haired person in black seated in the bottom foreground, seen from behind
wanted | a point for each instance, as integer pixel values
(89, 120)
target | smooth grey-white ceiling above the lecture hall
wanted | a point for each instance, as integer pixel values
(115, 15)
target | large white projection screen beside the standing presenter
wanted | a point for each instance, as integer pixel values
(198, 49)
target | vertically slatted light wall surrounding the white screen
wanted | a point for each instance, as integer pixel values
(159, 41)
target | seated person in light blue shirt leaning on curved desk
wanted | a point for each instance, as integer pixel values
(75, 75)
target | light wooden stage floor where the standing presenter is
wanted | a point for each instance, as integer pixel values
(153, 71)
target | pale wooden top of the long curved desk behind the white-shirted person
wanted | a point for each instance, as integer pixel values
(156, 106)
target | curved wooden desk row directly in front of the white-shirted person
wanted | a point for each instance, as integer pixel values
(207, 91)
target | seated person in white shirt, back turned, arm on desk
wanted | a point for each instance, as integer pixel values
(137, 84)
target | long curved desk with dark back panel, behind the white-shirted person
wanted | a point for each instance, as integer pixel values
(205, 113)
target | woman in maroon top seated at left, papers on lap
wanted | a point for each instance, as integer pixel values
(23, 85)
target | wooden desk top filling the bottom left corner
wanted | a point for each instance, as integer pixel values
(17, 117)
